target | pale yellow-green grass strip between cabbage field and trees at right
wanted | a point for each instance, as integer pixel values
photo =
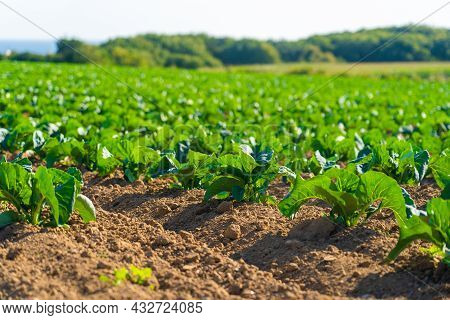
(416, 69)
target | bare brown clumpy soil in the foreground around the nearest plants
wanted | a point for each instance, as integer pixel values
(213, 251)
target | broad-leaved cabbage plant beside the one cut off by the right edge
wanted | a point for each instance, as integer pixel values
(351, 197)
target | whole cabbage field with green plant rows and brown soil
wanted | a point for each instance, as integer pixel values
(172, 180)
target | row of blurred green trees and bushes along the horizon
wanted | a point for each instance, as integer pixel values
(192, 51)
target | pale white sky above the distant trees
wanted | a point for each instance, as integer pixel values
(276, 19)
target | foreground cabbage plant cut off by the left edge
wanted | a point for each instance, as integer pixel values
(47, 197)
